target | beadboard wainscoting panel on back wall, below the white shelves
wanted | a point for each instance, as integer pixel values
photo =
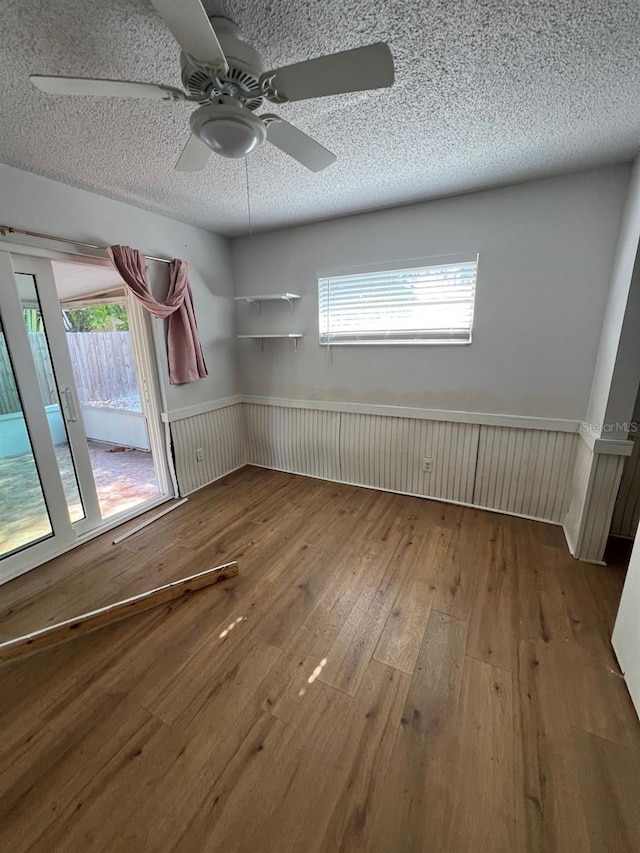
(302, 441)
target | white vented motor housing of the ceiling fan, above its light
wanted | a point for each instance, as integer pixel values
(241, 82)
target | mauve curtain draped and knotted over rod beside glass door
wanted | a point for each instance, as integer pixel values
(186, 362)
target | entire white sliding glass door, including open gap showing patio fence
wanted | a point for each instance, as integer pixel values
(81, 443)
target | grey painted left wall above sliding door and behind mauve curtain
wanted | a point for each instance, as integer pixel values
(38, 204)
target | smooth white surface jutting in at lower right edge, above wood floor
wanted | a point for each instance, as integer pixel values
(626, 633)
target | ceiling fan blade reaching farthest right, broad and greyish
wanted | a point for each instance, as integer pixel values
(357, 70)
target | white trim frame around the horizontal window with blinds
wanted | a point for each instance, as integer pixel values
(392, 266)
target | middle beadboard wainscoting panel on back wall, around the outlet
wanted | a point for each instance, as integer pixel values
(387, 453)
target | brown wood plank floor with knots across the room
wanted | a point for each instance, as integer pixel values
(386, 674)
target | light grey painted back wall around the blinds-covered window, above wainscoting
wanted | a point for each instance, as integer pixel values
(546, 255)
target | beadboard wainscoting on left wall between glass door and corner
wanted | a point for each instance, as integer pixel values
(221, 435)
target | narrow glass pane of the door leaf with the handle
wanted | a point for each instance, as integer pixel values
(58, 412)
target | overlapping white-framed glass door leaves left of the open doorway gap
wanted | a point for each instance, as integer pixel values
(47, 491)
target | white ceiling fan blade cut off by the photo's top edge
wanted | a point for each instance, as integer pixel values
(192, 29)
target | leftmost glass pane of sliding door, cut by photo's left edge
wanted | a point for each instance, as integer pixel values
(24, 517)
